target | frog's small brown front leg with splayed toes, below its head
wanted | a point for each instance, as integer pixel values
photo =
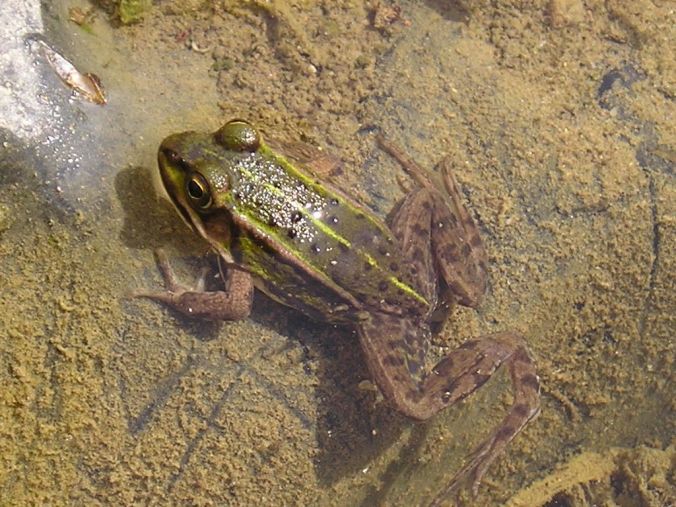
(234, 303)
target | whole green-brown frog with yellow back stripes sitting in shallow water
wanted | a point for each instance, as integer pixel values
(279, 225)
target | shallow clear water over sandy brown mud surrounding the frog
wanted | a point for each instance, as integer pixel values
(558, 120)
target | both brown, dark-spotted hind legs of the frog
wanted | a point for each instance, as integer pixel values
(445, 247)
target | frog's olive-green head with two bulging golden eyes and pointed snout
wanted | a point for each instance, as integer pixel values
(196, 171)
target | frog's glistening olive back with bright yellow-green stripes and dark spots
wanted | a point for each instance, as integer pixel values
(312, 247)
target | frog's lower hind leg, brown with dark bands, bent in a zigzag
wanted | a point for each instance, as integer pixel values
(391, 345)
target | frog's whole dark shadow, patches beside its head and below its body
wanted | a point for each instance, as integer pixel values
(353, 425)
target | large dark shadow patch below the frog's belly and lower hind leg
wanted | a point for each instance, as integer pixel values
(354, 424)
